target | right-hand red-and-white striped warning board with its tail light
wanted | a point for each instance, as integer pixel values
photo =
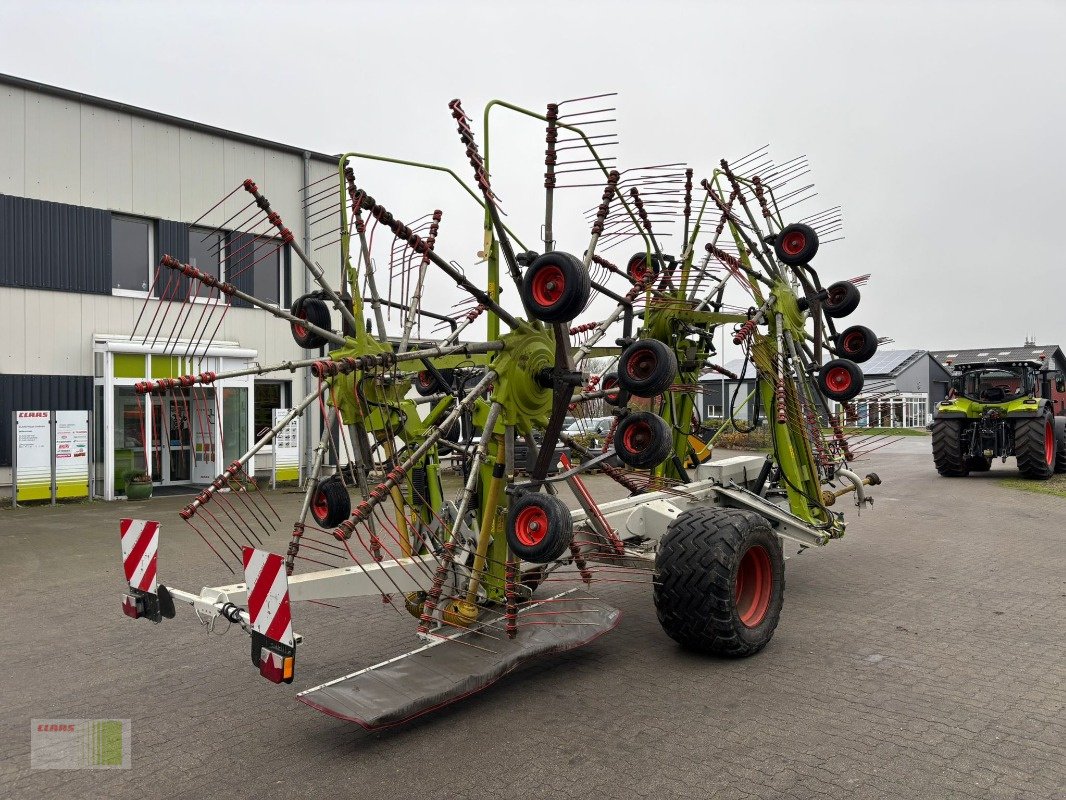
(273, 646)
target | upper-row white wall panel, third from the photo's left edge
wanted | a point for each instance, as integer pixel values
(107, 159)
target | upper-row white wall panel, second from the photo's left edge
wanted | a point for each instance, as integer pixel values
(53, 149)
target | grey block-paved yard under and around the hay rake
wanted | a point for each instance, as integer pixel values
(919, 658)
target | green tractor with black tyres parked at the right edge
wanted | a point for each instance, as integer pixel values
(998, 410)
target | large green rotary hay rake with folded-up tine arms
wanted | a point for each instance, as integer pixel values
(476, 571)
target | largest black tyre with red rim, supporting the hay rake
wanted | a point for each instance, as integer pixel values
(721, 582)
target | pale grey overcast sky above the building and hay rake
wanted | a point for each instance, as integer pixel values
(941, 127)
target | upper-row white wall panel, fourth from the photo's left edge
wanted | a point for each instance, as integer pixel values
(156, 170)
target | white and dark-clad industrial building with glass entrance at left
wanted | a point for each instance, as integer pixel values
(92, 195)
